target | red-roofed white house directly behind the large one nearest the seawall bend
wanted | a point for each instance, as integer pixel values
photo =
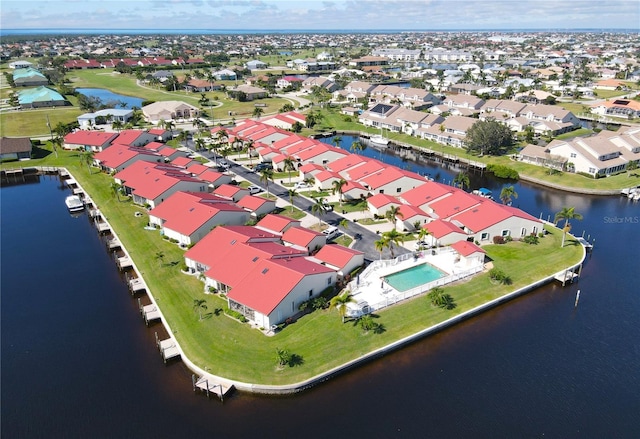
(187, 217)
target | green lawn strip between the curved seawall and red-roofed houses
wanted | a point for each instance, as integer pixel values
(222, 345)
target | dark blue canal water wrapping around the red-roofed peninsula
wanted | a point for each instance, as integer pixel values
(77, 360)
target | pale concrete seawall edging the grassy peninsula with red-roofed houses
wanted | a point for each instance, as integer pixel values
(324, 376)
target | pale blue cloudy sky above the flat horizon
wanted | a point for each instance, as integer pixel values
(277, 15)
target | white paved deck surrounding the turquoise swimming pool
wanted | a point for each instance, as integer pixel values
(372, 289)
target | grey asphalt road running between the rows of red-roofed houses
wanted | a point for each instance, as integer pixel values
(365, 237)
